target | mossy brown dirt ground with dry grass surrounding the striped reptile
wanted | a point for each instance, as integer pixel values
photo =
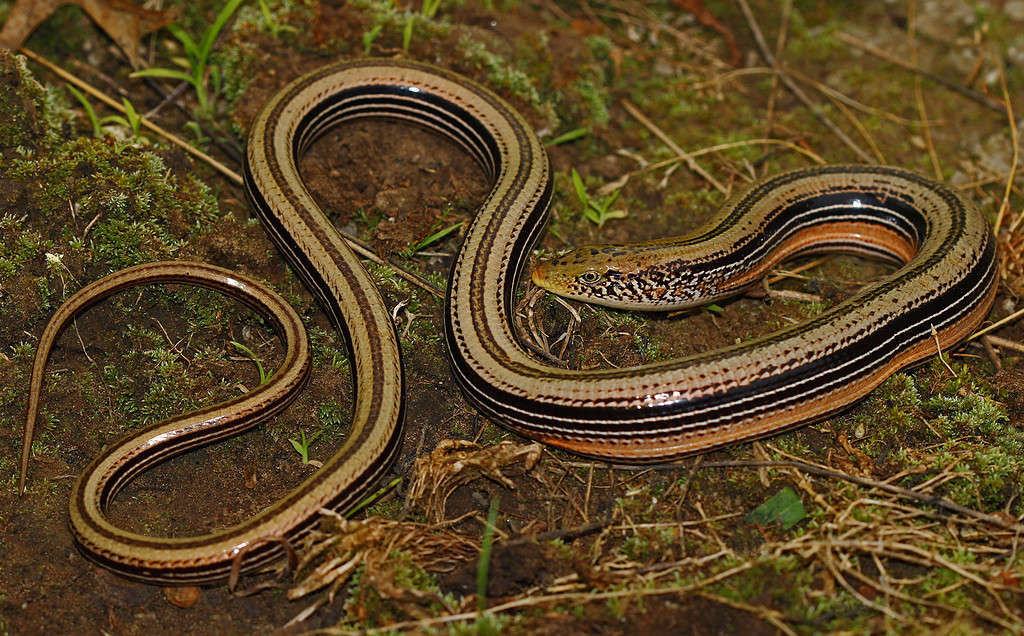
(909, 508)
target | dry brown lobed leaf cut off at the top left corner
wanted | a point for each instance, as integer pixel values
(125, 22)
